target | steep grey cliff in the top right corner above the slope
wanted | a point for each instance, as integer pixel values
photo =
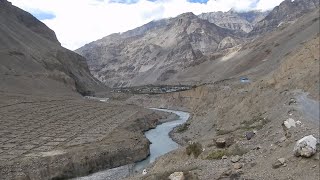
(287, 11)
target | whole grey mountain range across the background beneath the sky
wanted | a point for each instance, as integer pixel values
(160, 52)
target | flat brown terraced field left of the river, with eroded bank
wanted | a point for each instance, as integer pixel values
(30, 132)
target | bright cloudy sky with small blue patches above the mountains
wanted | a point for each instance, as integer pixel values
(78, 22)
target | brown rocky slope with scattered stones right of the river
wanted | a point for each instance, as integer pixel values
(251, 130)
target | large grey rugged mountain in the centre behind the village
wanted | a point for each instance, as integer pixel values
(156, 51)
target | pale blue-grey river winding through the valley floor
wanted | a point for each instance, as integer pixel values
(161, 143)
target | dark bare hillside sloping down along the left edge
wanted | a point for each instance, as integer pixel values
(32, 60)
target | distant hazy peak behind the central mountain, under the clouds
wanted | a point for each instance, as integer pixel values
(241, 21)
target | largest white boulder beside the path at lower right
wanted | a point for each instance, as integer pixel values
(306, 147)
